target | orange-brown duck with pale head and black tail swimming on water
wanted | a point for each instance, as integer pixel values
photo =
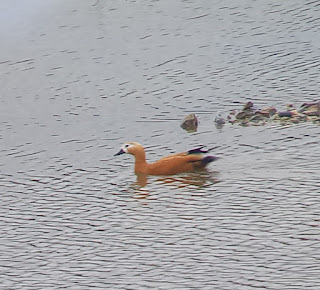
(192, 160)
